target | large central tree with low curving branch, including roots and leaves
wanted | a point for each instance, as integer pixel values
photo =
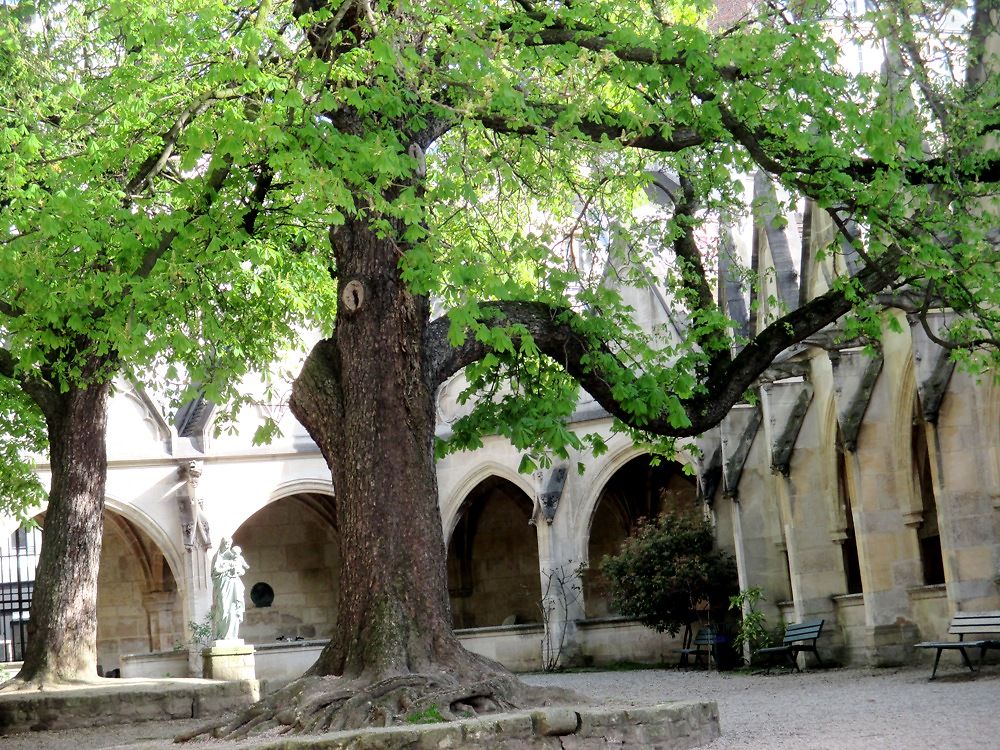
(422, 135)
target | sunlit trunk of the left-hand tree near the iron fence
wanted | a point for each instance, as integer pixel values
(62, 632)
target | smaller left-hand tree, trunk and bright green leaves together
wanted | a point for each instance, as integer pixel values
(117, 260)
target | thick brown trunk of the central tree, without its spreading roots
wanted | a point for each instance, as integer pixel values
(363, 398)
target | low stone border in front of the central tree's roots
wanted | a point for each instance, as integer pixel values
(670, 726)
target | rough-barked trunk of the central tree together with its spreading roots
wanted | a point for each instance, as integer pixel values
(366, 400)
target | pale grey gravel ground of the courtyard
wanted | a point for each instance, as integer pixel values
(826, 710)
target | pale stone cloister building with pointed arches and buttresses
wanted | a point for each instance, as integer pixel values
(862, 485)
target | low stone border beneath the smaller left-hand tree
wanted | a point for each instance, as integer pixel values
(121, 701)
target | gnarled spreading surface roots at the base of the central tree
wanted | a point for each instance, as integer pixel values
(313, 705)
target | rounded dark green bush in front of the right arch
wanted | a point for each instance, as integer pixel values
(666, 569)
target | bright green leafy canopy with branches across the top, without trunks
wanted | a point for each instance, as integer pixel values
(172, 168)
